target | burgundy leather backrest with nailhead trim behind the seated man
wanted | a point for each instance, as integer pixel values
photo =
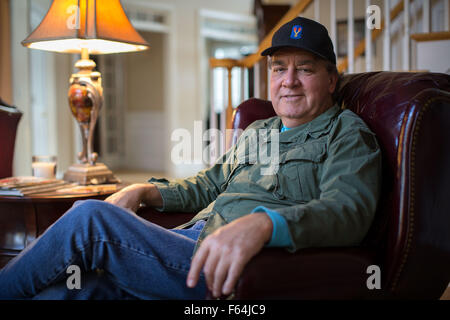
(410, 114)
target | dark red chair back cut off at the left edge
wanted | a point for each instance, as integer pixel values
(9, 119)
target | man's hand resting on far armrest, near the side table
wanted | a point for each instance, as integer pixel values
(132, 196)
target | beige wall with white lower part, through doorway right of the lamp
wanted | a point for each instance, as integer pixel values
(146, 136)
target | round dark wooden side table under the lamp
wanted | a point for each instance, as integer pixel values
(22, 219)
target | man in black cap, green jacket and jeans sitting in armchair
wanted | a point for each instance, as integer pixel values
(323, 193)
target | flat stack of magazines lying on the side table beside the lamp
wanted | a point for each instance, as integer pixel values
(29, 186)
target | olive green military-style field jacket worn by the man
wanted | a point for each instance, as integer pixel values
(325, 180)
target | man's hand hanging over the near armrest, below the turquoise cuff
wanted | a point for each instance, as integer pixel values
(224, 253)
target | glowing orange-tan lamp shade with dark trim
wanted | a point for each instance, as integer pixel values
(101, 26)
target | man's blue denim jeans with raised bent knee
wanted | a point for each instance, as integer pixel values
(120, 255)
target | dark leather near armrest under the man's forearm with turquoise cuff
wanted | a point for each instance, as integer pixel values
(313, 273)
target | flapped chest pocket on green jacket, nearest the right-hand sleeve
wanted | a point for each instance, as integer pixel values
(298, 174)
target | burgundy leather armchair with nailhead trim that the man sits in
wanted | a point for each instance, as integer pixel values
(410, 237)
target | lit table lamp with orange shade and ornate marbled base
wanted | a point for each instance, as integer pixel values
(86, 27)
